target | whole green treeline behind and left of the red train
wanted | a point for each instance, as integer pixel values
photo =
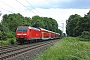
(10, 22)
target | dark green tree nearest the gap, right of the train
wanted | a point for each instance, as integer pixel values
(71, 27)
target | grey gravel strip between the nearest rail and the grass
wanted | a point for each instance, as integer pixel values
(30, 54)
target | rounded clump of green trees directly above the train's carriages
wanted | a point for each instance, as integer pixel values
(45, 22)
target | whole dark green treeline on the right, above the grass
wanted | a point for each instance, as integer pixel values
(78, 26)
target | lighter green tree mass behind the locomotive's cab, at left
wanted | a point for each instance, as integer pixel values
(12, 21)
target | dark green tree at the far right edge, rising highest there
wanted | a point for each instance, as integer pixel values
(84, 24)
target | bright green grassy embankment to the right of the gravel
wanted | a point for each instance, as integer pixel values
(68, 48)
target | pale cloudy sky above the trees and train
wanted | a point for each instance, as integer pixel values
(60, 10)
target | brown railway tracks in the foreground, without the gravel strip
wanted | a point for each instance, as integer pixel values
(7, 52)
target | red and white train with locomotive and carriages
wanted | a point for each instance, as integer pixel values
(27, 33)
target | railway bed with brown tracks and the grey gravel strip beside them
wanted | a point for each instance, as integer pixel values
(24, 52)
